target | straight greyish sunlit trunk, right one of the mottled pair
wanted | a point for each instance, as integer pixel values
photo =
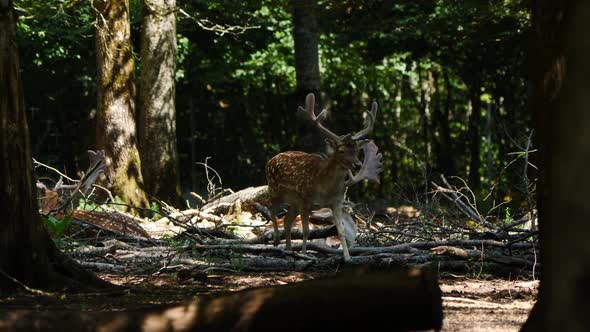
(157, 100)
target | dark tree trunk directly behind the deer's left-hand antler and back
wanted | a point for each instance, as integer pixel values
(307, 66)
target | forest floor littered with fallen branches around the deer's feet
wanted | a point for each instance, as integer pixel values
(484, 268)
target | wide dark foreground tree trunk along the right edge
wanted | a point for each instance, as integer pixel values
(561, 71)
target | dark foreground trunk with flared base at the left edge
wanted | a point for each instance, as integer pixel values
(27, 253)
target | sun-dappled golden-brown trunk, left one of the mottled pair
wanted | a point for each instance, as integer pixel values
(115, 121)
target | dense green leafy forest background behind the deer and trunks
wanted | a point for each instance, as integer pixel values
(448, 77)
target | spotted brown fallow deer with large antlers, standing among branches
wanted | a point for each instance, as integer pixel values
(304, 180)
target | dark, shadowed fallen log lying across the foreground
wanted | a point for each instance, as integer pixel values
(402, 300)
